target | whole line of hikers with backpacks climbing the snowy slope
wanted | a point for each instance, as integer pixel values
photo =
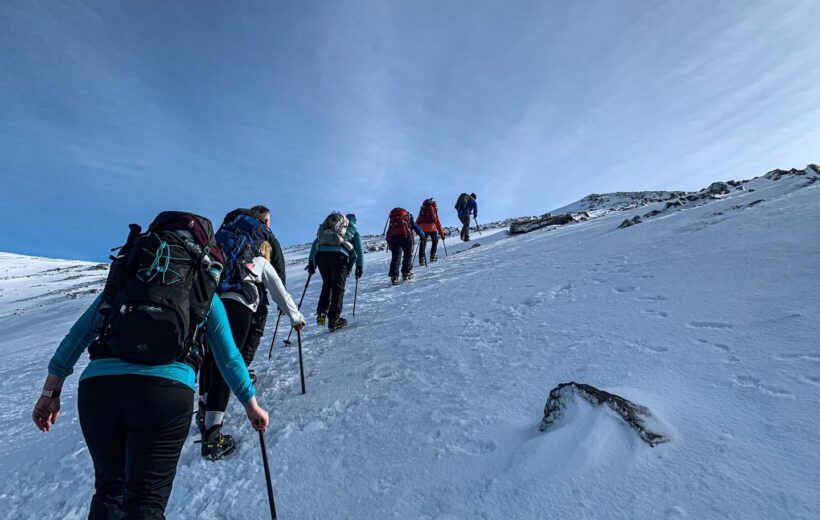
(182, 305)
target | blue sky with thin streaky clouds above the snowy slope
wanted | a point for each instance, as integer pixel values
(111, 111)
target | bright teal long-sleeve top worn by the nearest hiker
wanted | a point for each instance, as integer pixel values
(220, 339)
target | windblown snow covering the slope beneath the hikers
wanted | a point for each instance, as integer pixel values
(428, 405)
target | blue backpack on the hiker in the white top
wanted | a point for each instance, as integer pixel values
(240, 237)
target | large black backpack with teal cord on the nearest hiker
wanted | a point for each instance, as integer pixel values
(159, 291)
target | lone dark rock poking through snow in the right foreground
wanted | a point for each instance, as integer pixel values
(638, 417)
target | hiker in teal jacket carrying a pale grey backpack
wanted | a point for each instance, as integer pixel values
(337, 247)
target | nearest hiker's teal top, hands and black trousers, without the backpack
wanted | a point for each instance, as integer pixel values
(135, 418)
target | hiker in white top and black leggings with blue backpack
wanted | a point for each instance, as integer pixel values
(248, 275)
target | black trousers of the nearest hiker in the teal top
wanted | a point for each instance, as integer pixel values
(135, 427)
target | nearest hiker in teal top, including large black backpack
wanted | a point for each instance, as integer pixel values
(135, 397)
